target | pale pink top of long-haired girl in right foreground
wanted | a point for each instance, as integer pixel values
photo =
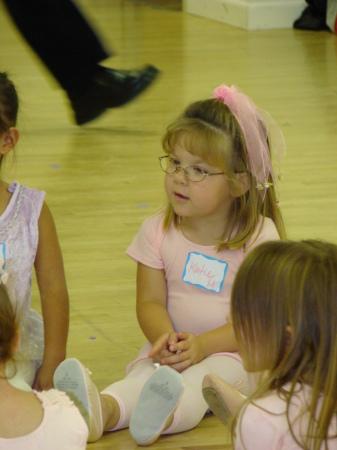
(264, 426)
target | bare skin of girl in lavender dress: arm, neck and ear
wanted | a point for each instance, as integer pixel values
(50, 279)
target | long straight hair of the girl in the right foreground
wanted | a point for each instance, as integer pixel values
(284, 311)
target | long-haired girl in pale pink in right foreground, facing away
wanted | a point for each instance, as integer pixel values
(284, 312)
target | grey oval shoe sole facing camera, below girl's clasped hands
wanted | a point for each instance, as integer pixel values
(158, 400)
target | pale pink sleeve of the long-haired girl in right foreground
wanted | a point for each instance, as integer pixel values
(257, 431)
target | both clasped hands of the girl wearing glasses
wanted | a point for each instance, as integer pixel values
(178, 350)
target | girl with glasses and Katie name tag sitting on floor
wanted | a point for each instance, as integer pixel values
(222, 202)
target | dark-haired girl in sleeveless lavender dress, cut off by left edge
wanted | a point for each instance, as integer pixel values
(28, 239)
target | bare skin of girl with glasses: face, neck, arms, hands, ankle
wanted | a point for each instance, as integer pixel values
(203, 208)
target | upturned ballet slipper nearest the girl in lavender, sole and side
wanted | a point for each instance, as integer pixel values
(73, 378)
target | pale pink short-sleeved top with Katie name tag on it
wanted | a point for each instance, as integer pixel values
(199, 278)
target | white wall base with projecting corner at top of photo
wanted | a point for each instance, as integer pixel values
(248, 14)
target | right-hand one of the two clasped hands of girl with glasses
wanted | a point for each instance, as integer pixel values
(187, 351)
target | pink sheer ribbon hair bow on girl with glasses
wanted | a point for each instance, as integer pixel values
(257, 126)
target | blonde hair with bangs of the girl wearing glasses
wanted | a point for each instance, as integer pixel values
(209, 129)
